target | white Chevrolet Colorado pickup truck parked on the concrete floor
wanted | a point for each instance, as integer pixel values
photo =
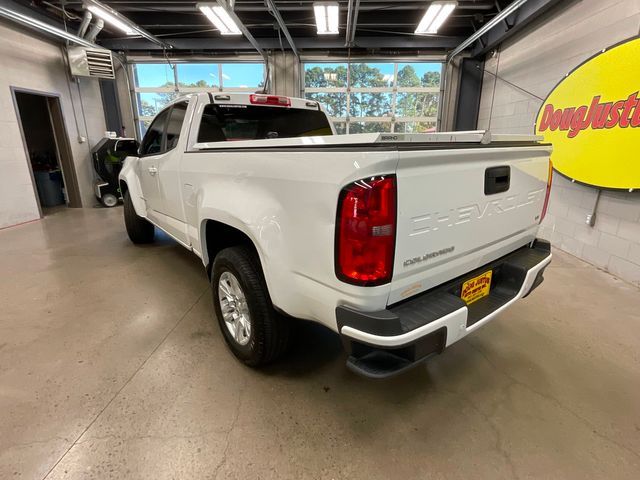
(400, 243)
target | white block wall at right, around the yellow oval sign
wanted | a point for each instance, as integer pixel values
(537, 60)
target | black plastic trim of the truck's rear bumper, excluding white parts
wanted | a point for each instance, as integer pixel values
(509, 273)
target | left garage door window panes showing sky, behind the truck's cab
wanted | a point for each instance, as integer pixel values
(157, 84)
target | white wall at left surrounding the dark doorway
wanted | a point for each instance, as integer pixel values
(30, 62)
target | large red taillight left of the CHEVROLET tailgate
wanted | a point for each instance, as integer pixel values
(366, 231)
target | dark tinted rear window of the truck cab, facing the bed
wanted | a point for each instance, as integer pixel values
(222, 123)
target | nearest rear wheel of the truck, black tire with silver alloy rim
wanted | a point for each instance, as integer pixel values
(253, 330)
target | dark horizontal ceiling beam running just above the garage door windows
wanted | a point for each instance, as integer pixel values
(314, 43)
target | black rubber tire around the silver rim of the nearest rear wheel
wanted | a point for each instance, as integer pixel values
(270, 331)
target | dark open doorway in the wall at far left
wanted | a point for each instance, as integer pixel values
(48, 150)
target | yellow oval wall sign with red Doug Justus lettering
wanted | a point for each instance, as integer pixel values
(592, 119)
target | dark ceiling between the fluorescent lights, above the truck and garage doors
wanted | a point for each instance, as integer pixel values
(383, 27)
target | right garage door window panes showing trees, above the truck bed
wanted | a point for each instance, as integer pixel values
(376, 97)
